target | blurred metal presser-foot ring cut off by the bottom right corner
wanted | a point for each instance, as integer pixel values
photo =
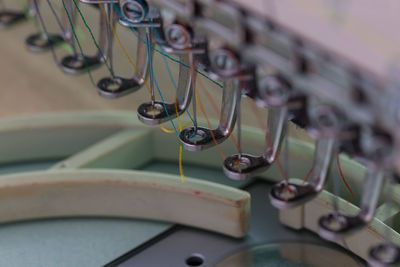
(384, 255)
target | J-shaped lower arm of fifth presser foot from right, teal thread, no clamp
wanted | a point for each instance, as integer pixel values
(201, 138)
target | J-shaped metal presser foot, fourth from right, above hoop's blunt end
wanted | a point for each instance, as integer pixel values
(244, 166)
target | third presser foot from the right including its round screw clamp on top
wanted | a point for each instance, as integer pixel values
(326, 127)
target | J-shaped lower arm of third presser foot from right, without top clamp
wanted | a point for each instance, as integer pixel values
(290, 195)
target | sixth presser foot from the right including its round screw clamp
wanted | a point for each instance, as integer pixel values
(180, 42)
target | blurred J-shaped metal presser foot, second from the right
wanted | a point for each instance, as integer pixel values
(333, 226)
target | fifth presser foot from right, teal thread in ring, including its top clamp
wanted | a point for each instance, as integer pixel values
(235, 77)
